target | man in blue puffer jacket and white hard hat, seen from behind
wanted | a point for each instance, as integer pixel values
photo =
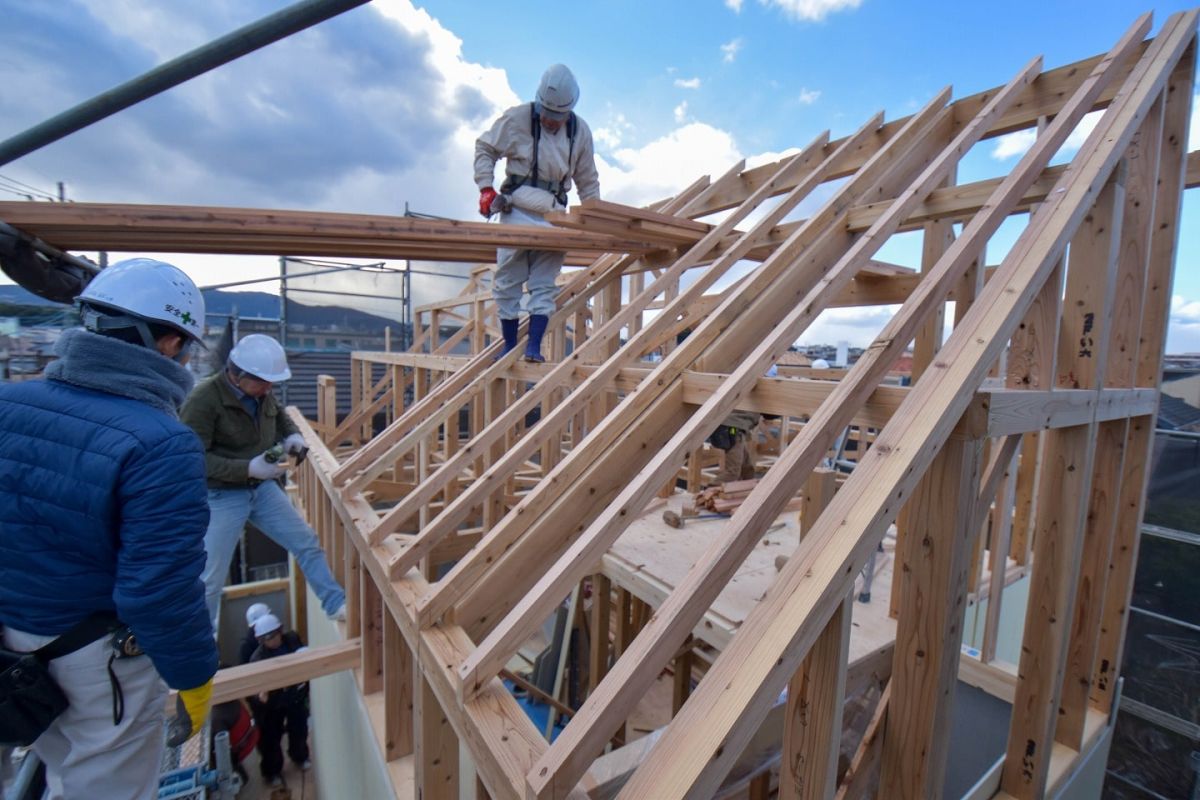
(103, 519)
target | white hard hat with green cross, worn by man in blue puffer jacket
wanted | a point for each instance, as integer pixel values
(151, 291)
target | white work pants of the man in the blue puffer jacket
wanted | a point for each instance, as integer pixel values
(86, 755)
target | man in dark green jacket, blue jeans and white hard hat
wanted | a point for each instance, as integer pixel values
(247, 437)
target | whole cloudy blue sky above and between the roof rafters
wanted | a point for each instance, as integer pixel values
(380, 107)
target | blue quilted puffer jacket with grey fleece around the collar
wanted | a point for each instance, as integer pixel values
(104, 503)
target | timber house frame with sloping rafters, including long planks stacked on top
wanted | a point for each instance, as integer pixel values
(1037, 411)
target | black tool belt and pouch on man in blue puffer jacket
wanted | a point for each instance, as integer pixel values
(31, 700)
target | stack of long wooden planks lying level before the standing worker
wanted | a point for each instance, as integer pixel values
(201, 230)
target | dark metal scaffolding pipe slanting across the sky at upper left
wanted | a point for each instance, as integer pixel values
(221, 51)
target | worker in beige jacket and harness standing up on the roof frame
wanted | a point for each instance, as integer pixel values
(545, 147)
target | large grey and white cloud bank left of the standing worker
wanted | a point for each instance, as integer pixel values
(260, 131)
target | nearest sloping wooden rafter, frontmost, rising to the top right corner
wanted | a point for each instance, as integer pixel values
(767, 651)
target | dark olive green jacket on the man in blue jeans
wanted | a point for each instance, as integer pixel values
(229, 432)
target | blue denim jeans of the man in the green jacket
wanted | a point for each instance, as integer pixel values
(268, 507)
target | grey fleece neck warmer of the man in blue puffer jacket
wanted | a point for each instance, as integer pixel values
(118, 368)
